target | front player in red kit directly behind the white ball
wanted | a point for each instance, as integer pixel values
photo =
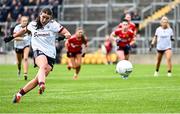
(124, 38)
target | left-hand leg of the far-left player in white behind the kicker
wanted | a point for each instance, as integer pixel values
(18, 61)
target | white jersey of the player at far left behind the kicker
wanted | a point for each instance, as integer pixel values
(21, 43)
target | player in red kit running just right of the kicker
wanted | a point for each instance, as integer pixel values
(74, 47)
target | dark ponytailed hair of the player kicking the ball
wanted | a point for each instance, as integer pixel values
(47, 11)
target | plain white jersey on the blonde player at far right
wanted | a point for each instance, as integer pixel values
(163, 38)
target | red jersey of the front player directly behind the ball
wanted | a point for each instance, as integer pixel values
(126, 37)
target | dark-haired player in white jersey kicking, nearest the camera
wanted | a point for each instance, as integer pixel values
(43, 31)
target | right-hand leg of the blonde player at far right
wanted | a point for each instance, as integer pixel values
(168, 54)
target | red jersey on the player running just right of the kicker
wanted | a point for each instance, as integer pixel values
(75, 44)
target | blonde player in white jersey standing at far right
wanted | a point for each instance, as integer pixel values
(163, 37)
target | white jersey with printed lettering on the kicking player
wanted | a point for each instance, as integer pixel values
(44, 39)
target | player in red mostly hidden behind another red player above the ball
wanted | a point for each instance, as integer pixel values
(131, 25)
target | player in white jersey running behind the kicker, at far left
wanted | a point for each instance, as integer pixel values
(22, 47)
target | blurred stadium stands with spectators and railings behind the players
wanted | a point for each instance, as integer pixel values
(98, 18)
